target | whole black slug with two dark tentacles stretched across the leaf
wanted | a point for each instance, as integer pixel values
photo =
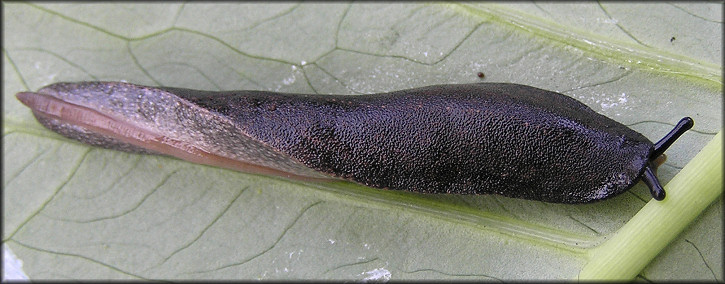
(484, 138)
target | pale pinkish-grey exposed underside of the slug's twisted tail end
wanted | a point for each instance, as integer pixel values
(119, 128)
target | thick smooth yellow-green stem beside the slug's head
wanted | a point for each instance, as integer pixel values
(634, 245)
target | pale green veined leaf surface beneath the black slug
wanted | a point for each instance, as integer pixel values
(76, 212)
